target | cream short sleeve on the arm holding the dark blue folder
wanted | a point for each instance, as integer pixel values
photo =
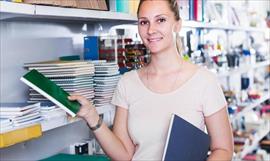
(213, 98)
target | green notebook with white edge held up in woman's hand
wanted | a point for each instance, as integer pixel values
(51, 91)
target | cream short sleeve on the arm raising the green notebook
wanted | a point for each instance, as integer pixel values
(120, 96)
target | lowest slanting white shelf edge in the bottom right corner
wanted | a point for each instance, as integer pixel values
(262, 132)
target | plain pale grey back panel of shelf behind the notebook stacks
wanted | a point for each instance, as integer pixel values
(30, 41)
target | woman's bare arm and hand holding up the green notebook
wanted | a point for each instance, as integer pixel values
(117, 143)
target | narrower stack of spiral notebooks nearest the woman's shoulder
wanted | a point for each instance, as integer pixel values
(106, 78)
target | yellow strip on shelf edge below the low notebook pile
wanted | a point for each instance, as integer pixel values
(20, 135)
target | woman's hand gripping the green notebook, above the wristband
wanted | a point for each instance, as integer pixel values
(87, 110)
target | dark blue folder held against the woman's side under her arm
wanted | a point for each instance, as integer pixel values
(185, 142)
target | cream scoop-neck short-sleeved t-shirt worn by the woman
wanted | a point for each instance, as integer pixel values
(149, 112)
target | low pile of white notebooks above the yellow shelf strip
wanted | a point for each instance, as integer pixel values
(18, 114)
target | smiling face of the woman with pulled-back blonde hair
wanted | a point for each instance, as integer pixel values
(156, 25)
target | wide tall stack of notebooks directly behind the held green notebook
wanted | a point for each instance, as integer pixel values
(72, 76)
